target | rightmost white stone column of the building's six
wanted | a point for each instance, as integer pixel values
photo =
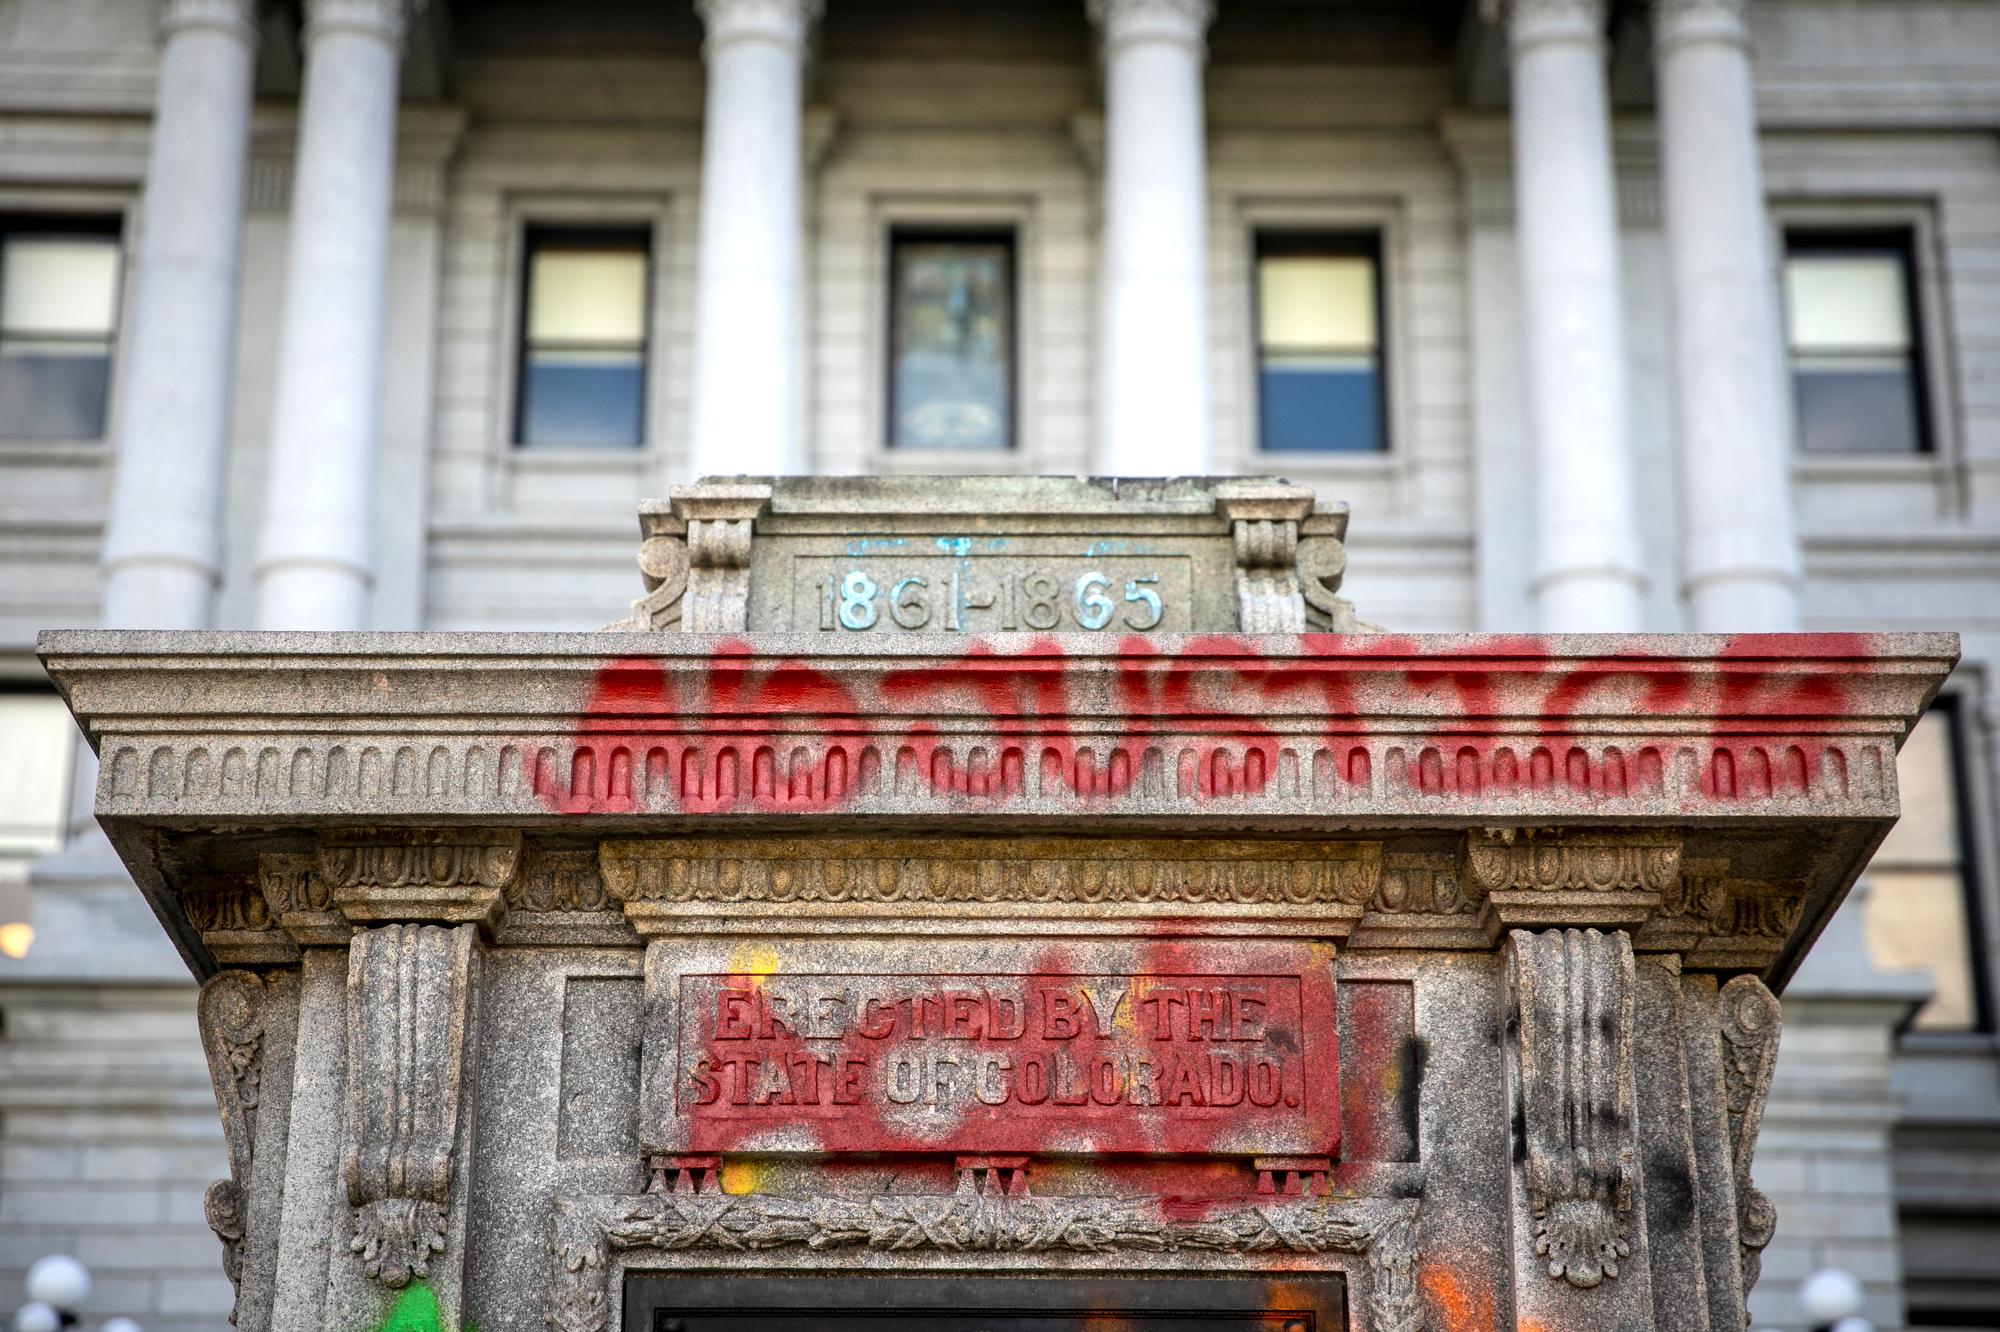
(1739, 547)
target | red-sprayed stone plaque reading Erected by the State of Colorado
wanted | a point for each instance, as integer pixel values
(1197, 1057)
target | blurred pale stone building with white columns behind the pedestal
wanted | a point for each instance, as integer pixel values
(1603, 315)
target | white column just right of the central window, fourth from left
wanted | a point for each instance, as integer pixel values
(1153, 343)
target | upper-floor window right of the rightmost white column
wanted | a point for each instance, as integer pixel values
(1857, 367)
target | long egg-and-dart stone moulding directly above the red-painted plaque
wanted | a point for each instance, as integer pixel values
(787, 885)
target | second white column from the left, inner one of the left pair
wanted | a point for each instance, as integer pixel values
(315, 555)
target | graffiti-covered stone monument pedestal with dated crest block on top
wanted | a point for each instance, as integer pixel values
(1151, 953)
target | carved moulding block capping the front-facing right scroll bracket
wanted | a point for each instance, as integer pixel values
(1563, 879)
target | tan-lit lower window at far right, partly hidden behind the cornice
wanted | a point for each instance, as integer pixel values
(1919, 913)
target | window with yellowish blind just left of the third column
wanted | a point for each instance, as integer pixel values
(583, 349)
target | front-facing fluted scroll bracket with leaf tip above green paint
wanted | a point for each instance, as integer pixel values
(409, 991)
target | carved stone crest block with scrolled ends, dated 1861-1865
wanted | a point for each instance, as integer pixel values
(881, 555)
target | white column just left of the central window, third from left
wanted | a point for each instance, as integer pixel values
(749, 345)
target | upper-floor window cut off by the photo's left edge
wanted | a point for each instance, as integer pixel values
(59, 317)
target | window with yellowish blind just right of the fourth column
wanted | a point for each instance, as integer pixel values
(1319, 345)
